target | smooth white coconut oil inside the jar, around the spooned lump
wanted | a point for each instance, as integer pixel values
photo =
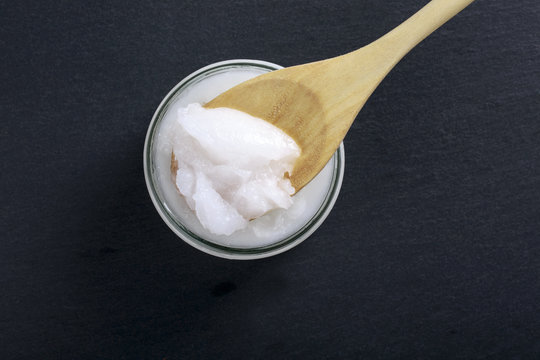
(264, 230)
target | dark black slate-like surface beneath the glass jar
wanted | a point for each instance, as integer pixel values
(432, 249)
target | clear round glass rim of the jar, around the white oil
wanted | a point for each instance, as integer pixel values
(193, 239)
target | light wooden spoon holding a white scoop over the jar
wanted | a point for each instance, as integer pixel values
(316, 103)
